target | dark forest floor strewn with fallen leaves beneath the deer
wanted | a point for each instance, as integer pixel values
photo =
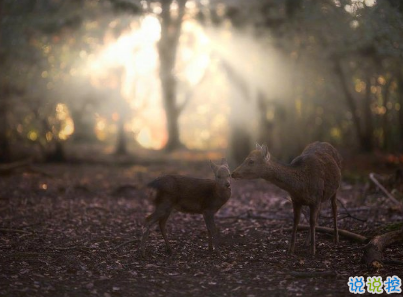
(60, 226)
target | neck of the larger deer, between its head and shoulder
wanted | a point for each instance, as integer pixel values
(283, 176)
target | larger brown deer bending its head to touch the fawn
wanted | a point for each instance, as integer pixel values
(310, 179)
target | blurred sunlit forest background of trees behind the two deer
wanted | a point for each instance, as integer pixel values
(120, 76)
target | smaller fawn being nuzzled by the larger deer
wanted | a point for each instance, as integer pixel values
(189, 195)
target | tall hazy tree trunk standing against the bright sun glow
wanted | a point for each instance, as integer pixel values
(167, 49)
